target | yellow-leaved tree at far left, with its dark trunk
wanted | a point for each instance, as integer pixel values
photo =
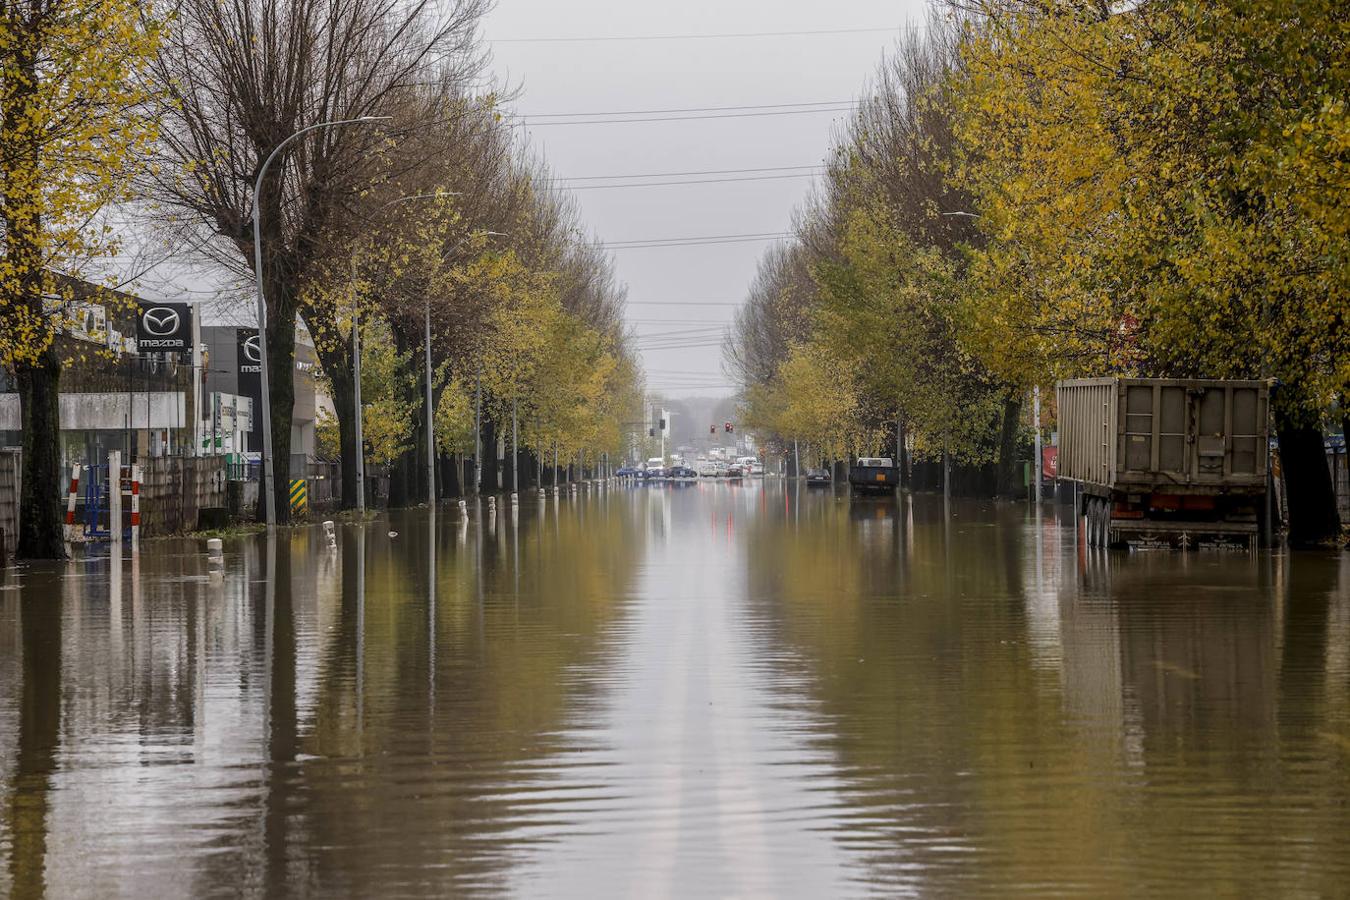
(74, 130)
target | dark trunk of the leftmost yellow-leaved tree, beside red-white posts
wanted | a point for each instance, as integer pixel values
(40, 503)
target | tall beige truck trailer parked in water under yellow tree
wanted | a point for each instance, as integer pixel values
(1164, 462)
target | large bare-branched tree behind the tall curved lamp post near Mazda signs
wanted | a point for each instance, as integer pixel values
(245, 76)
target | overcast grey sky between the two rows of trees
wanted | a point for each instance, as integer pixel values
(685, 288)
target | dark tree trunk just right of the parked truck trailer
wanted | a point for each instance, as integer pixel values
(1303, 457)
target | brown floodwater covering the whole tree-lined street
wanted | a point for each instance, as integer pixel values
(688, 692)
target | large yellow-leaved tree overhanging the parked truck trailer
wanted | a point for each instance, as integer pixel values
(1163, 192)
